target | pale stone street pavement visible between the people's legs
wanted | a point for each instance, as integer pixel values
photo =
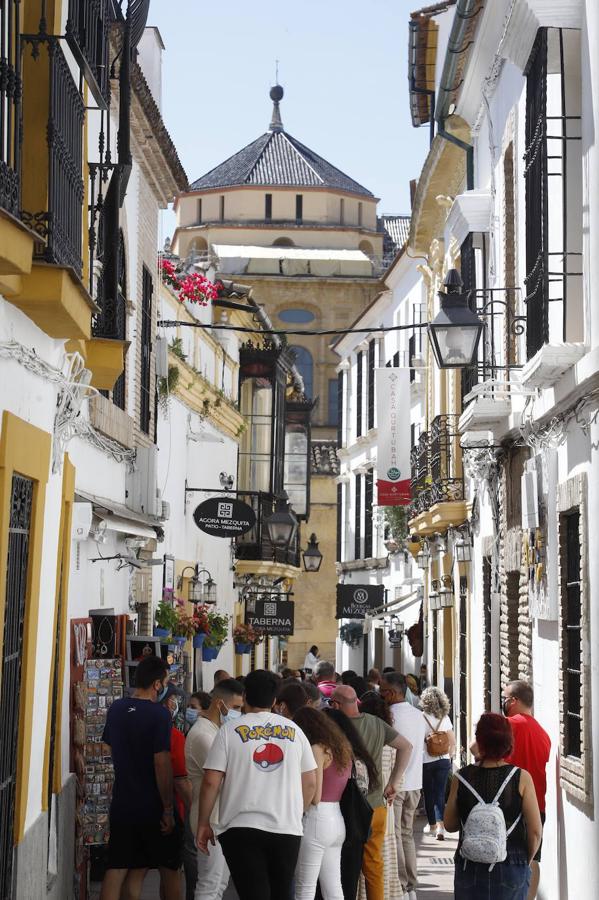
(435, 870)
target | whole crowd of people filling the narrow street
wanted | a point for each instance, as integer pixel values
(306, 784)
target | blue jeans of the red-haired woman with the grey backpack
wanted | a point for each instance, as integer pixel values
(506, 881)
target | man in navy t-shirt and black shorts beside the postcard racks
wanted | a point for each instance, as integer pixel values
(142, 825)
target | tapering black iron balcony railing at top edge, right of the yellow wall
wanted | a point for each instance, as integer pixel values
(87, 35)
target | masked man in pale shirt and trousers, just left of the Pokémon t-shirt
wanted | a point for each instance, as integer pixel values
(227, 700)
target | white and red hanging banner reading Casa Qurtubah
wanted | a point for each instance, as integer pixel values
(393, 444)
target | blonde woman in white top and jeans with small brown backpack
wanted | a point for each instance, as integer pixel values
(439, 747)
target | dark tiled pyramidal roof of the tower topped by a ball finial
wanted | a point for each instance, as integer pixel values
(278, 159)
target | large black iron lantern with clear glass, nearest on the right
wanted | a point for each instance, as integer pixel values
(455, 331)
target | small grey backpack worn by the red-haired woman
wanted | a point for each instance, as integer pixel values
(484, 833)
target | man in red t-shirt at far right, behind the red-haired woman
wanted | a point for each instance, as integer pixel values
(532, 746)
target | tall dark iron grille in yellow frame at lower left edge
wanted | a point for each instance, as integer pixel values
(19, 535)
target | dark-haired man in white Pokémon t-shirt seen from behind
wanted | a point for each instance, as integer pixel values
(266, 773)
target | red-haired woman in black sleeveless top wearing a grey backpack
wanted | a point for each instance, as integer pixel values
(494, 806)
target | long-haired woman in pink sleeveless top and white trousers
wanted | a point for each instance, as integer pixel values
(324, 828)
